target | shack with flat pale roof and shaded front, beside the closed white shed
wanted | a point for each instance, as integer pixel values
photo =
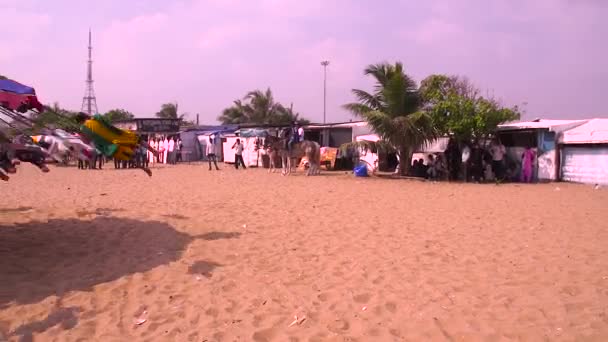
(541, 136)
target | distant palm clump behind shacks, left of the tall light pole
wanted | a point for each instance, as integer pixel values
(259, 107)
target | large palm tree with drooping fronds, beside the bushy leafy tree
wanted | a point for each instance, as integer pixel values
(393, 111)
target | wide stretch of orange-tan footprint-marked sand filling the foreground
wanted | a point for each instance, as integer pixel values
(193, 255)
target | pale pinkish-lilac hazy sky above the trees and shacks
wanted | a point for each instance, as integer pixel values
(203, 54)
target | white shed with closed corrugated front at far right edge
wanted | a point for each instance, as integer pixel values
(583, 153)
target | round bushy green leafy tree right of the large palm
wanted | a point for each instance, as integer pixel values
(458, 110)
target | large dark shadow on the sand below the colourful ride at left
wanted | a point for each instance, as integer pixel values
(40, 259)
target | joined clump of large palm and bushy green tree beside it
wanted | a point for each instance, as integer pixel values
(406, 116)
